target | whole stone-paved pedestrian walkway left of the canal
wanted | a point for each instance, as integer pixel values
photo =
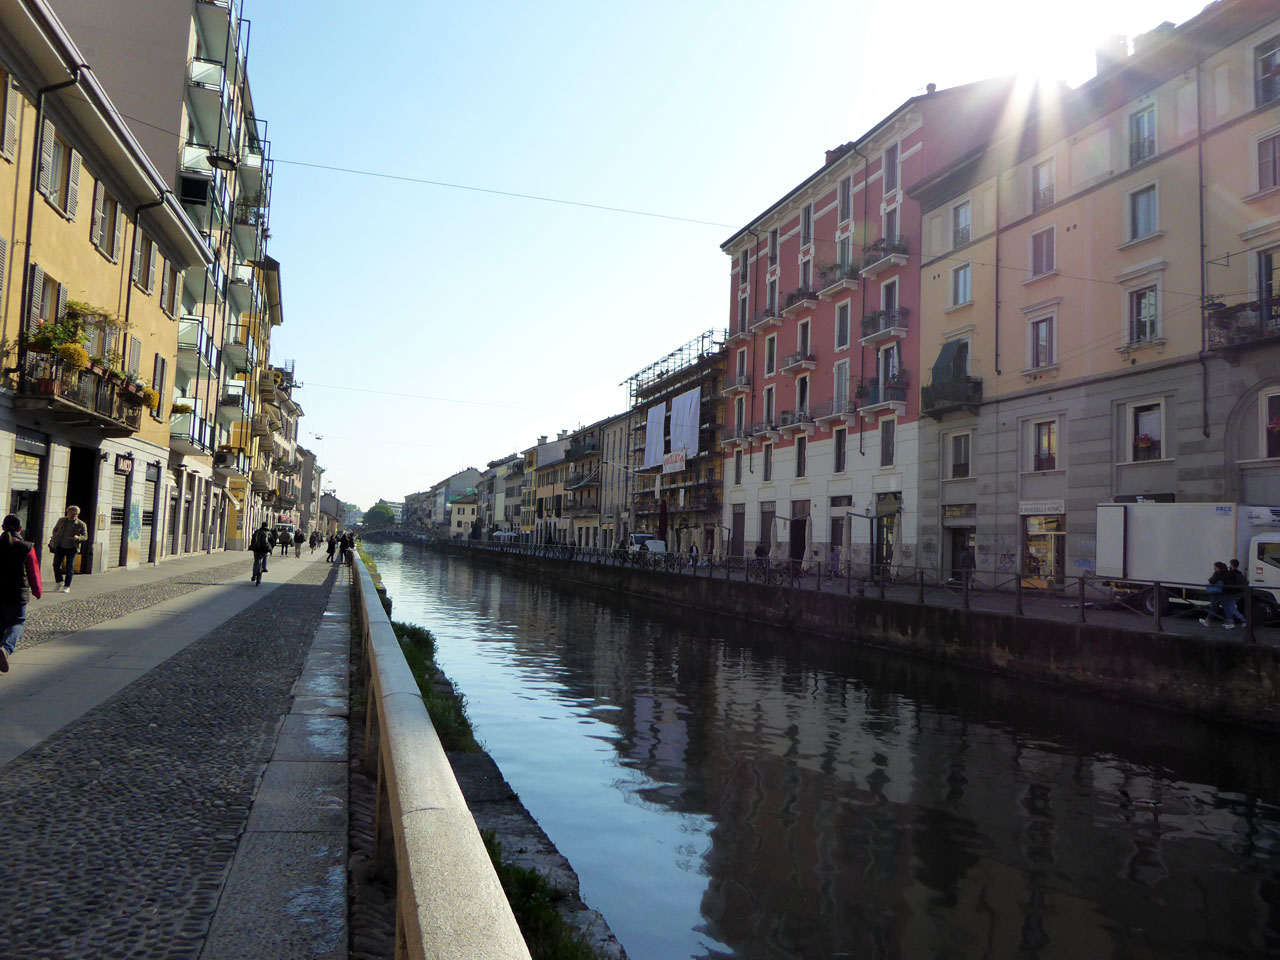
(173, 765)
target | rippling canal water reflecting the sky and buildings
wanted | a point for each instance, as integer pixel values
(725, 792)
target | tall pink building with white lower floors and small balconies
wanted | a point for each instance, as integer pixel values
(824, 367)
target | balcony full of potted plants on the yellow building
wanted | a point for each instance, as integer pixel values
(79, 399)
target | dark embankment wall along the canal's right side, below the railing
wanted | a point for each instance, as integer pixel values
(1217, 678)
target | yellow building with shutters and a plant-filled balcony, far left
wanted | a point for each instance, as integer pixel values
(93, 246)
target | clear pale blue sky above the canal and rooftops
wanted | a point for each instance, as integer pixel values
(438, 328)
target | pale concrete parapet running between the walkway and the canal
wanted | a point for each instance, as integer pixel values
(450, 903)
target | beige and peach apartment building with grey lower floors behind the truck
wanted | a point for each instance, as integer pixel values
(1099, 312)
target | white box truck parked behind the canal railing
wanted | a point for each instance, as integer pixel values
(1176, 545)
